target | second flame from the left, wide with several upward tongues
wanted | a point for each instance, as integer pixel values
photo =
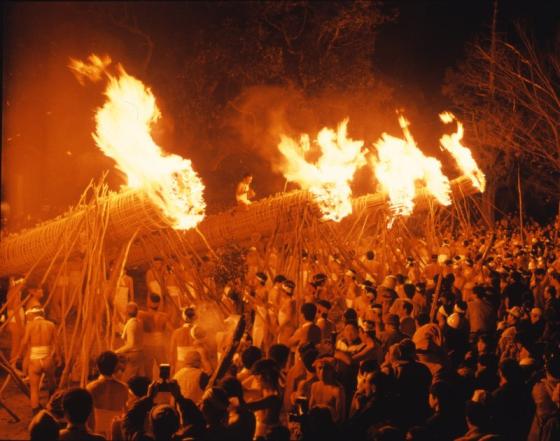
(328, 179)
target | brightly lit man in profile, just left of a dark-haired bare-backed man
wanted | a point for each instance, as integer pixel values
(132, 349)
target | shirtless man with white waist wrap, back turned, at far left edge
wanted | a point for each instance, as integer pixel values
(40, 338)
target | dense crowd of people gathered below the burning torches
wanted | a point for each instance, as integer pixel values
(461, 343)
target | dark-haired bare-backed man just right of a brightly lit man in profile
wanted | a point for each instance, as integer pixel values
(154, 323)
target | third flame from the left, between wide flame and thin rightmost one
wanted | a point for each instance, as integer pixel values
(400, 165)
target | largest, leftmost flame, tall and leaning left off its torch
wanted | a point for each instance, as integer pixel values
(123, 132)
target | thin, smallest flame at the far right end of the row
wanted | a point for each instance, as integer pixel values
(462, 154)
